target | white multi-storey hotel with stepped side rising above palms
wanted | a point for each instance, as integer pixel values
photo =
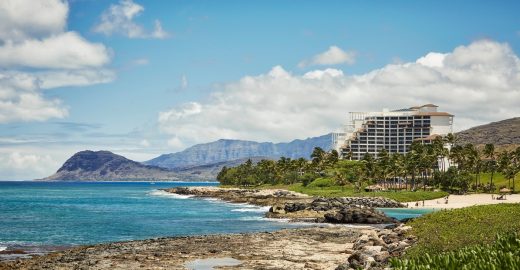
(369, 132)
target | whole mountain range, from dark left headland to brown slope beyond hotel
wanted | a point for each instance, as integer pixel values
(204, 161)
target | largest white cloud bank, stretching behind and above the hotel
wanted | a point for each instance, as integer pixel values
(478, 83)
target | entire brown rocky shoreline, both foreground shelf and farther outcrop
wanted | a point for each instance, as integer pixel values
(324, 246)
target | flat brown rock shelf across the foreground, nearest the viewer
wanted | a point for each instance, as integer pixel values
(325, 247)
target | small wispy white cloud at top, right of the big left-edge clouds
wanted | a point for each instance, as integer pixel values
(119, 19)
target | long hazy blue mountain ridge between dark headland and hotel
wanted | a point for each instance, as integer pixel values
(228, 150)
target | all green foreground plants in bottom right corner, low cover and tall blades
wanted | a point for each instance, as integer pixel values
(477, 237)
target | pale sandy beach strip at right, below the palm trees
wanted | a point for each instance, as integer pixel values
(459, 201)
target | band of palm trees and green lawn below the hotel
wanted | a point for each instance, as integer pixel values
(427, 171)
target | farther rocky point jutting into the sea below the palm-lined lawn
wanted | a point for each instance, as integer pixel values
(300, 207)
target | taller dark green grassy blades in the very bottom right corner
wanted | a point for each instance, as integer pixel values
(503, 254)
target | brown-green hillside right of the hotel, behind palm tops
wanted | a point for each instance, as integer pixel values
(502, 133)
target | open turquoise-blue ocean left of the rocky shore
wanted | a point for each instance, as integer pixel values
(51, 214)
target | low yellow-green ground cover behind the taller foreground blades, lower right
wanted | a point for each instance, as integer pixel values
(450, 230)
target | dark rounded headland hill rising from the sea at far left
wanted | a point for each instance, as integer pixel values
(107, 166)
